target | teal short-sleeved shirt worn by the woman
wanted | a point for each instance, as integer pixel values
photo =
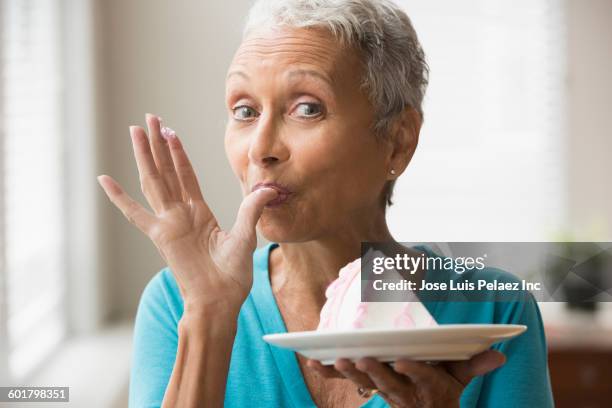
(261, 375)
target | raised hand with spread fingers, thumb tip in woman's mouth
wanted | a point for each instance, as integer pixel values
(211, 266)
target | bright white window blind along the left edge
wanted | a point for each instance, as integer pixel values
(33, 183)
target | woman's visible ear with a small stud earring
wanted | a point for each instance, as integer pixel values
(404, 139)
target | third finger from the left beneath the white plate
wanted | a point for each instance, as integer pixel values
(392, 384)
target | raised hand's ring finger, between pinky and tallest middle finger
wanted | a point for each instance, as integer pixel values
(151, 182)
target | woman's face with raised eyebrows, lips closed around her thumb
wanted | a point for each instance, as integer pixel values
(297, 117)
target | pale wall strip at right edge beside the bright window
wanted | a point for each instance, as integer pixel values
(590, 109)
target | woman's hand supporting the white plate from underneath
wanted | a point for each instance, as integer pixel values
(411, 383)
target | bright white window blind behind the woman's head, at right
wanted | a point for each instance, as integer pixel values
(490, 160)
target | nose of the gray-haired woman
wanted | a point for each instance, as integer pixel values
(266, 146)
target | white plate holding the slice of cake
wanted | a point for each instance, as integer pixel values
(449, 342)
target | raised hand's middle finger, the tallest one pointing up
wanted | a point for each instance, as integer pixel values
(162, 157)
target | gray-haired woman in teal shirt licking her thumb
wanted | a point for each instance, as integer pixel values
(324, 103)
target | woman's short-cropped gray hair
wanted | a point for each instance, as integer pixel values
(396, 74)
